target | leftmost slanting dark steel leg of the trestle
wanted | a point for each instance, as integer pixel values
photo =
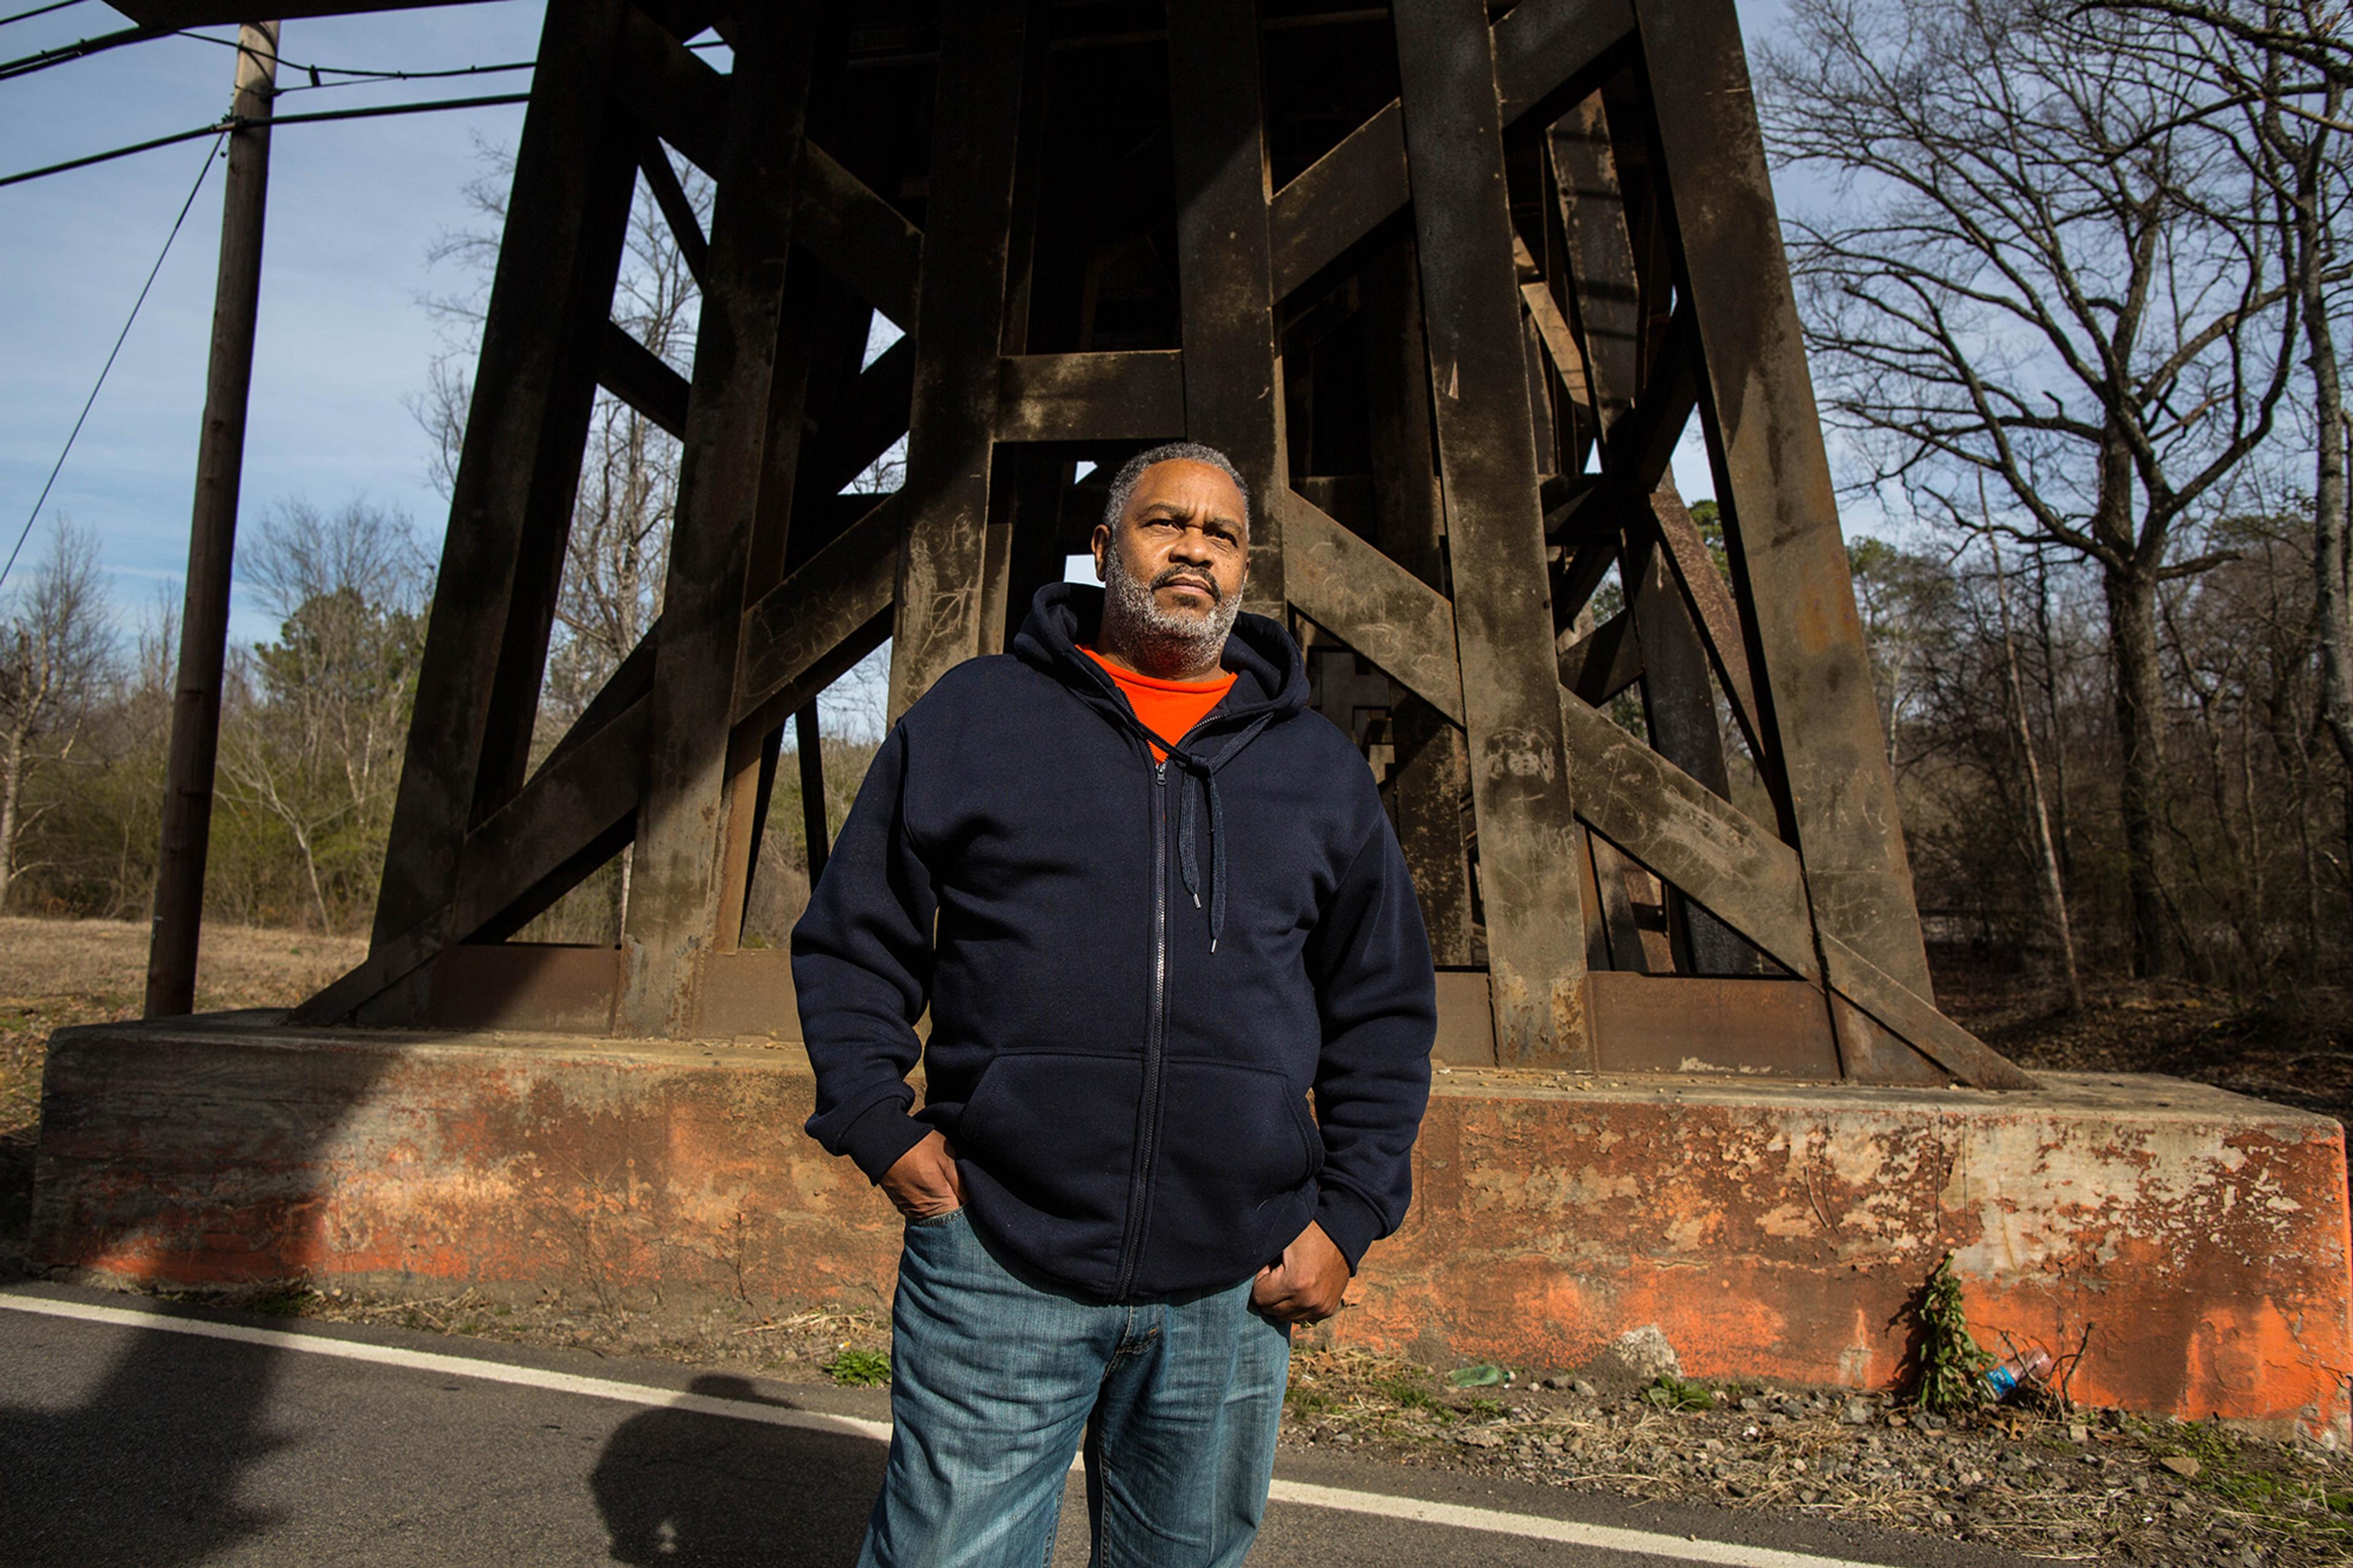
(519, 467)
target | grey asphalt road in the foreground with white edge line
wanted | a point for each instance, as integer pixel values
(154, 1442)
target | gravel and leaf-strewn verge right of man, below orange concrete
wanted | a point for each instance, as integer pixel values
(2055, 1484)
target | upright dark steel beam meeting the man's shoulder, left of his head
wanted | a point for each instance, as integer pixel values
(985, 77)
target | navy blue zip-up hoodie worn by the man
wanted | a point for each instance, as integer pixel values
(1135, 971)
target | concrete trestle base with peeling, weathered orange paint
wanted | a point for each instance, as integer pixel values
(1771, 1233)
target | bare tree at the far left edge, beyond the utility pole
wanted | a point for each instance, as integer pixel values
(53, 656)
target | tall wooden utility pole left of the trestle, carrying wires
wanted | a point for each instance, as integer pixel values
(213, 536)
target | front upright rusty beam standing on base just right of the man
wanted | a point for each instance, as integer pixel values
(1521, 776)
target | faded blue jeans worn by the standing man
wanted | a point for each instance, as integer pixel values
(996, 1381)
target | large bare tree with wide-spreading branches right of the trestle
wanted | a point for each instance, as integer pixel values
(2044, 270)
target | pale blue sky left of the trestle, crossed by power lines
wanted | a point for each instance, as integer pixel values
(342, 343)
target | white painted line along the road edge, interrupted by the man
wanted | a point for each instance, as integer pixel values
(1498, 1522)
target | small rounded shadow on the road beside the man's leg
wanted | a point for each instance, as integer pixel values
(709, 1491)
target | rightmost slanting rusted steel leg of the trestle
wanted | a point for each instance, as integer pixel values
(1782, 512)
